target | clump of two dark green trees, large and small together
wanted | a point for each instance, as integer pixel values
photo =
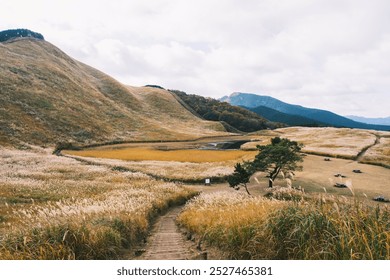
(281, 155)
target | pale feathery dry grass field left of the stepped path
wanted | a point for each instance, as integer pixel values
(57, 208)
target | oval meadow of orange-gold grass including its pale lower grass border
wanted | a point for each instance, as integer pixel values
(191, 166)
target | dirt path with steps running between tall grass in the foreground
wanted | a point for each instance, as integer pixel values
(166, 242)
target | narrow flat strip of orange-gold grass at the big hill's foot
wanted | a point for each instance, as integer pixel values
(141, 154)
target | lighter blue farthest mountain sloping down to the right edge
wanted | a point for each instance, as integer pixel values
(252, 101)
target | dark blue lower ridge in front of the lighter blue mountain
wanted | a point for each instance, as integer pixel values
(277, 116)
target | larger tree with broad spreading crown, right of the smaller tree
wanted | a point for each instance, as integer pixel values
(281, 155)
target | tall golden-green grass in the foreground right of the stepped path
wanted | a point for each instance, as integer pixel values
(256, 228)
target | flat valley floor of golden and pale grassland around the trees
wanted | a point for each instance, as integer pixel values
(189, 160)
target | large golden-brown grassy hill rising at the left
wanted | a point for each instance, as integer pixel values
(47, 97)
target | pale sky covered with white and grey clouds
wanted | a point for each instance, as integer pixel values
(333, 55)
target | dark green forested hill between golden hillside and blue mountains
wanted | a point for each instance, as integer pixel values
(234, 118)
